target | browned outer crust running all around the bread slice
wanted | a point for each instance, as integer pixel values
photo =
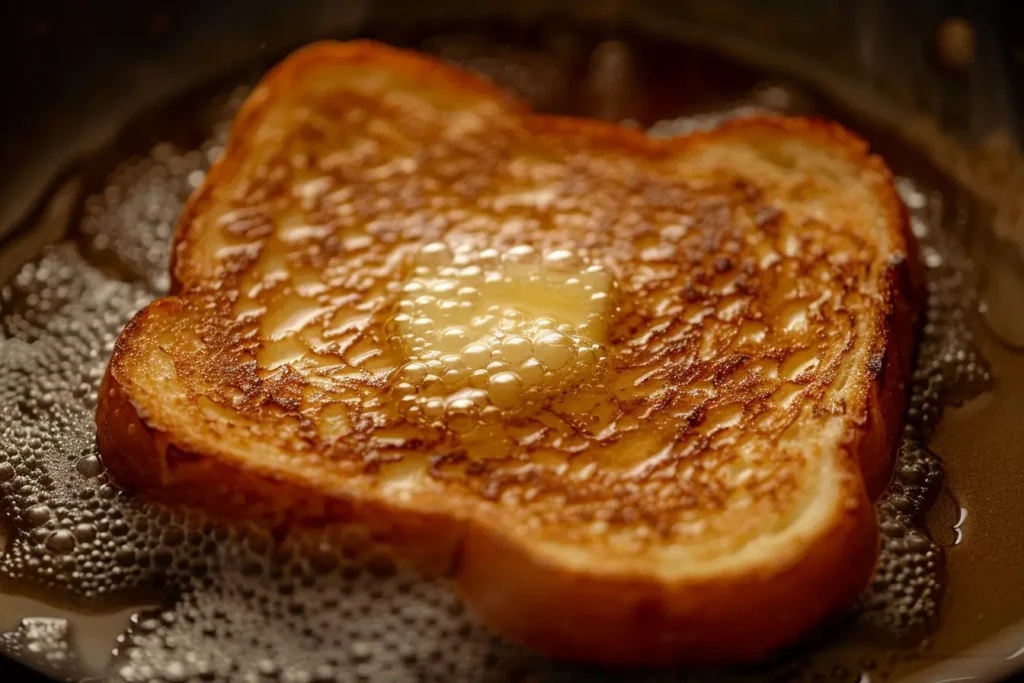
(566, 613)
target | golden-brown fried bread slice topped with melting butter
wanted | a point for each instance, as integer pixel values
(636, 396)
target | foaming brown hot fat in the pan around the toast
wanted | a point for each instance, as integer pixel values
(242, 606)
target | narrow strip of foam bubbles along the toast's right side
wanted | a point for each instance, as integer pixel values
(908, 588)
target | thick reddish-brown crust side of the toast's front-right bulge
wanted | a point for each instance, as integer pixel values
(637, 621)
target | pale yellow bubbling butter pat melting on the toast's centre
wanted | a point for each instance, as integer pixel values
(489, 334)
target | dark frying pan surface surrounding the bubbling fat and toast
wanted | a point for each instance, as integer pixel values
(934, 87)
